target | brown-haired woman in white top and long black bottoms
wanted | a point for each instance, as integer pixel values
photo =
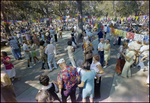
(96, 65)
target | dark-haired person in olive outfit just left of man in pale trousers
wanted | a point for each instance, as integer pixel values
(43, 56)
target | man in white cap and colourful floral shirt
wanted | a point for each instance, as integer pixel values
(67, 79)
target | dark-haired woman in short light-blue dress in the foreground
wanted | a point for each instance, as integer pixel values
(87, 82)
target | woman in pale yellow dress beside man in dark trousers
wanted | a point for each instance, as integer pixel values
(106, 52)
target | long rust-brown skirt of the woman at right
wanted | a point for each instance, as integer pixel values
(119, 65)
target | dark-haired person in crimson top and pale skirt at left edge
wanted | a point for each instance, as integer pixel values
(9, 68)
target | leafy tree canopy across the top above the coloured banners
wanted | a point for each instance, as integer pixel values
(26, 10)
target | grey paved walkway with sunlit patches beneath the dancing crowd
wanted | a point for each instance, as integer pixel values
(113, 87)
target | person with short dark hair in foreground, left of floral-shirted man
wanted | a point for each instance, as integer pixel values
(48, 91)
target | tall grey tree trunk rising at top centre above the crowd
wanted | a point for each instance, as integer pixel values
(80, 22)
